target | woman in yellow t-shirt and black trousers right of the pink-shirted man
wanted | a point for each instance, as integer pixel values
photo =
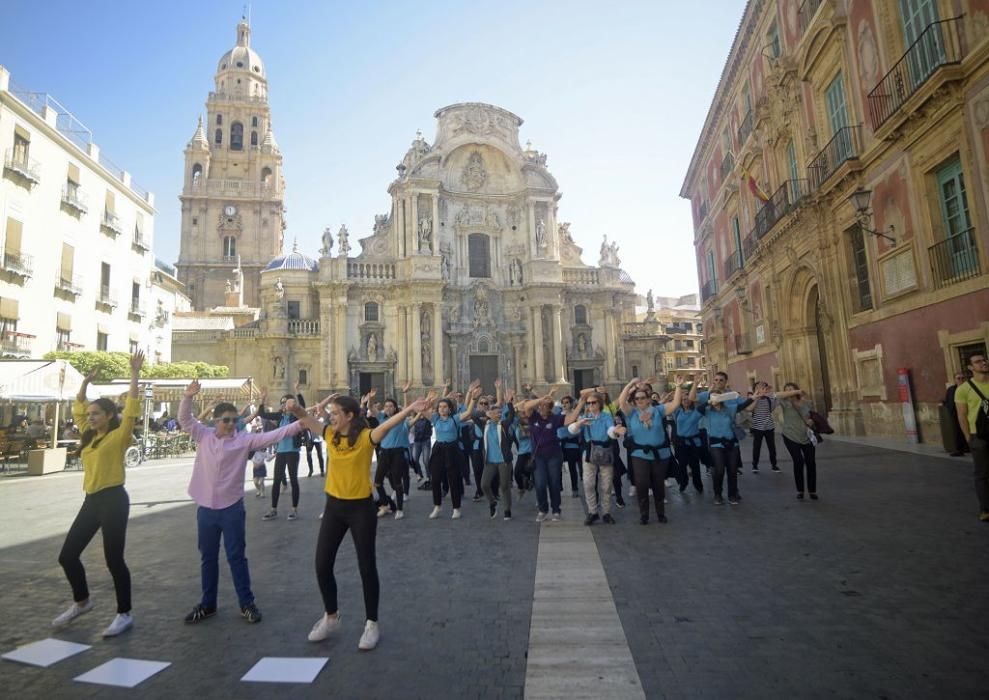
(350, 445)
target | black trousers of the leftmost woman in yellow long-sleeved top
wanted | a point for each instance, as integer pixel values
(105, 510)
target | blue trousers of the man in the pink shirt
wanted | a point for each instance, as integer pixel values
(230, 523)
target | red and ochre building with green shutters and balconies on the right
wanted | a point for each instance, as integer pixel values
(819, 100)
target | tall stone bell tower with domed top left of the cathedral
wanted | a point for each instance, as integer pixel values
(233, 191)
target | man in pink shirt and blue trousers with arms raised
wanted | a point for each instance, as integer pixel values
(217, 486)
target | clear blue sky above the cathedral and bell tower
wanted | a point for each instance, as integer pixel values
(614, 93)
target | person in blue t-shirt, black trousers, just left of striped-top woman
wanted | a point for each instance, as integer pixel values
(719, 407)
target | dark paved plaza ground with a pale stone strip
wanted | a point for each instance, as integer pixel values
(877, 590)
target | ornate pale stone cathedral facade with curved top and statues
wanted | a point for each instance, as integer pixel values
(469, 274)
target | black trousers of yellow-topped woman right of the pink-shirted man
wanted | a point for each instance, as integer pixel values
(359, 517)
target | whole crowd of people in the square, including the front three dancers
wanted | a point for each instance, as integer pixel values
(509, 444)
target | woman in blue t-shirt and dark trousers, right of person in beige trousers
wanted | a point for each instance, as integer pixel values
(647, 444)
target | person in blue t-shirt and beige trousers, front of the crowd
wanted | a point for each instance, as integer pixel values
(599, 431)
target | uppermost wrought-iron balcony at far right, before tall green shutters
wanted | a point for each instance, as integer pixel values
(936, 46)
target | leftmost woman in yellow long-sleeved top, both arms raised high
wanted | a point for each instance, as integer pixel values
(106, 437)
